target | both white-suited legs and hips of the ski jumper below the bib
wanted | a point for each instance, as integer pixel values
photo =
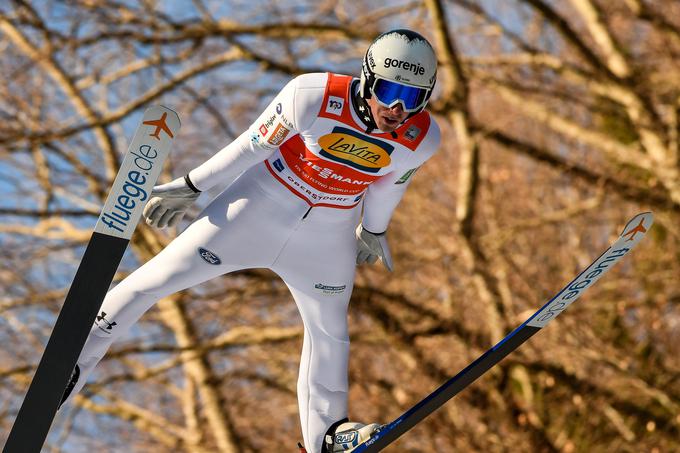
(248, 227)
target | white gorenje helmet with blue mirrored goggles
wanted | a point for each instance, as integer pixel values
(400, 66)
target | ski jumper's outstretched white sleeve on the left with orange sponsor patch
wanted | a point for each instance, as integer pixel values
(292, 111)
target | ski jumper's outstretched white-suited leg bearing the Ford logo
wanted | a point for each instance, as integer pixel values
(228, 235)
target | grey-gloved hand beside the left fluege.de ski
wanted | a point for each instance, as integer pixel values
(169, 202)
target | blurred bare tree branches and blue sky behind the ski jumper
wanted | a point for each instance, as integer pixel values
(560, 120)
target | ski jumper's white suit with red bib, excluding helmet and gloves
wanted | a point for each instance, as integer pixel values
(297, 179)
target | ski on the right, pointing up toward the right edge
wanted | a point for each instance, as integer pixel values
(632, 234)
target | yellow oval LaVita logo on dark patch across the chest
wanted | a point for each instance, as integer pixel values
(351, 148)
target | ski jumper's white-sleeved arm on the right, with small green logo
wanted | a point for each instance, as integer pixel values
(383, 196)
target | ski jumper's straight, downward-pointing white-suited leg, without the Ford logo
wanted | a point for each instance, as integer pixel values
(318, 266)
